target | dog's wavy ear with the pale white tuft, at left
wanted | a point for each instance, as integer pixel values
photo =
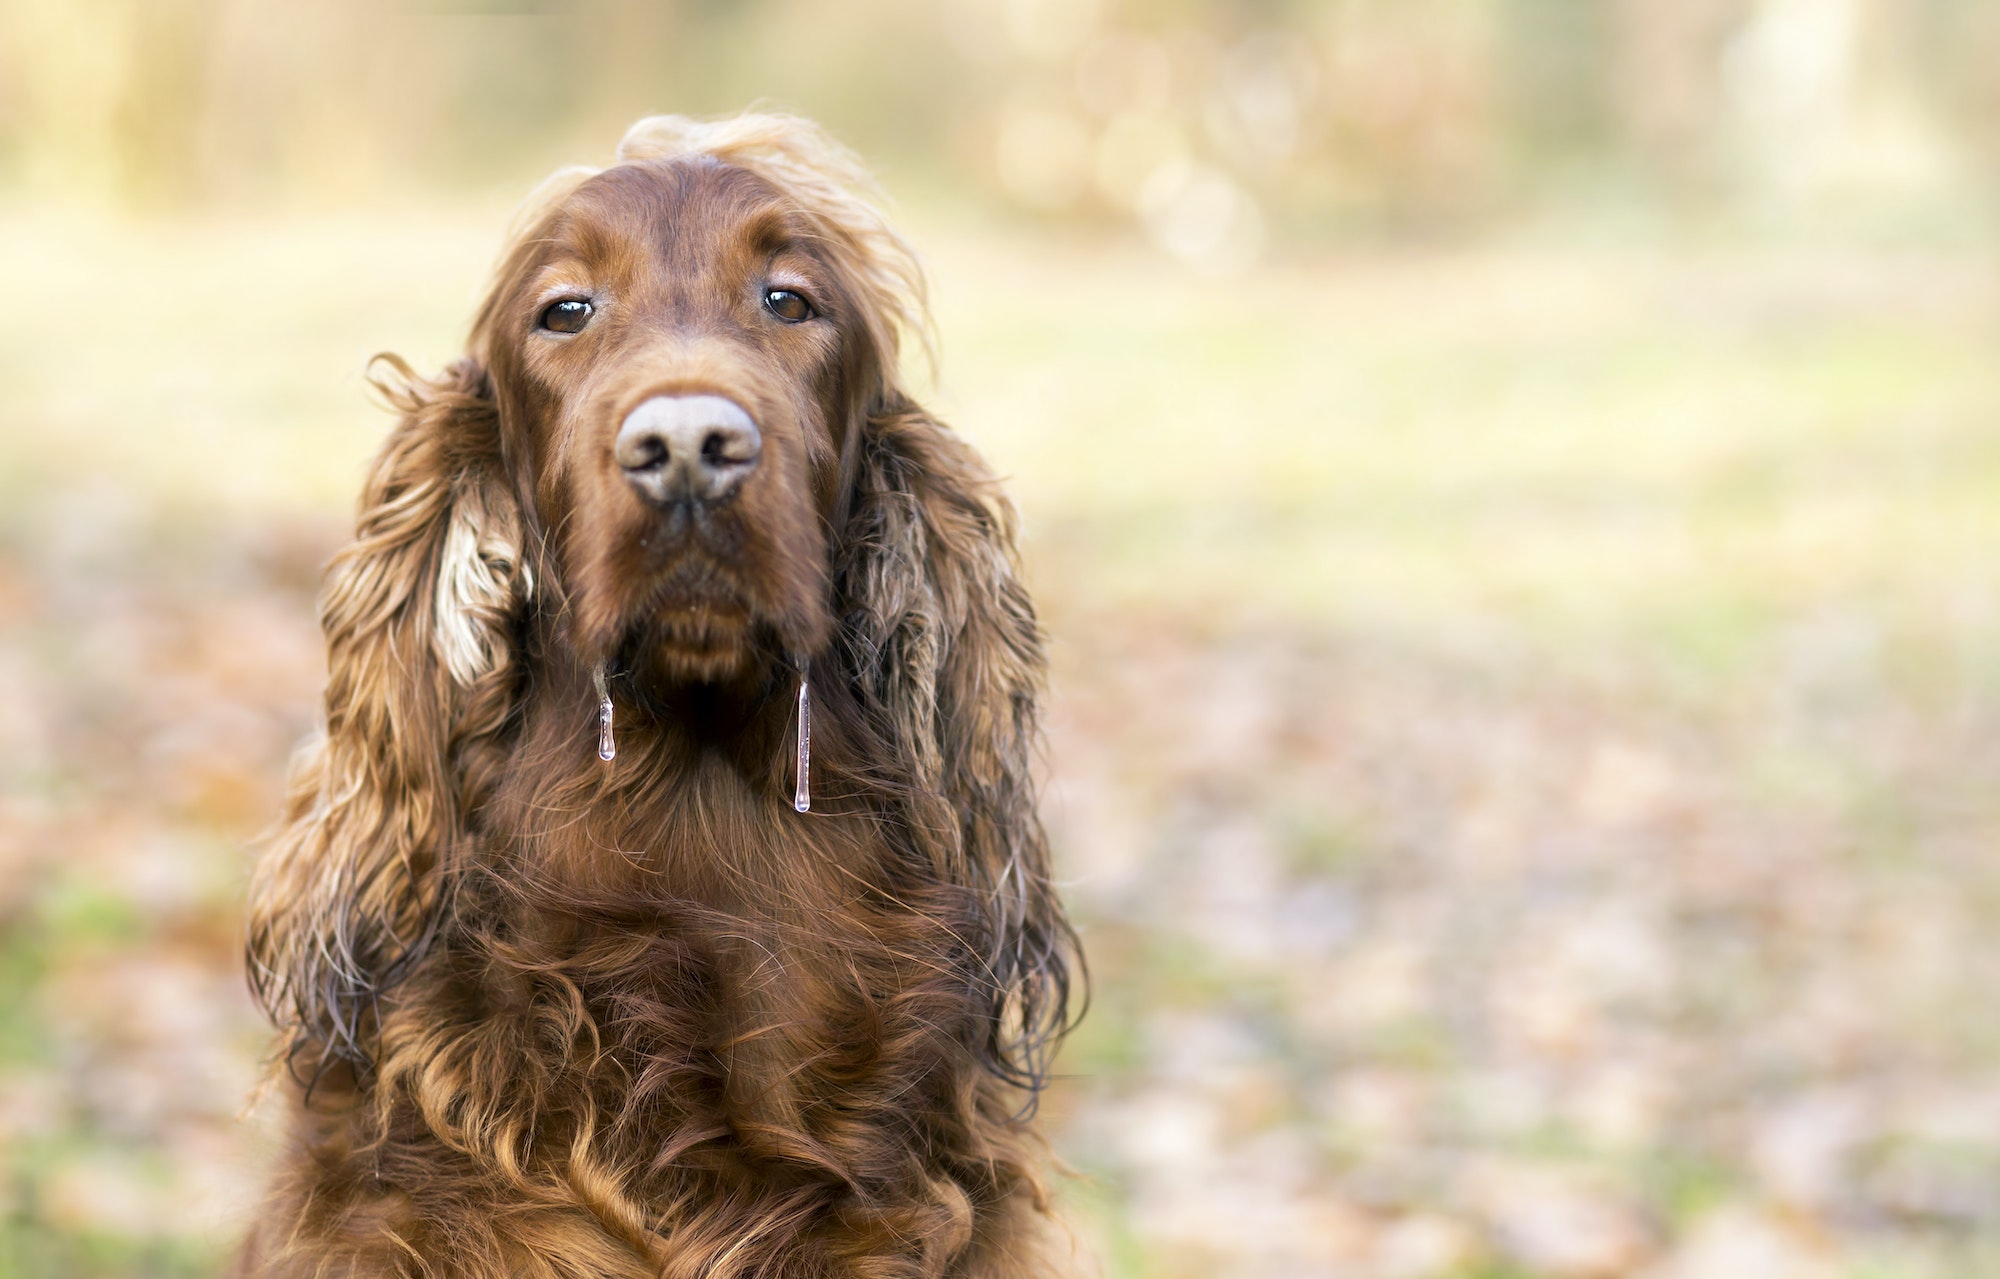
(419, 617)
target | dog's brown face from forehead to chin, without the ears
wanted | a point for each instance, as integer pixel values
(677, 357)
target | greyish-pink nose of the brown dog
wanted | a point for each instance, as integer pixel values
(687, 447)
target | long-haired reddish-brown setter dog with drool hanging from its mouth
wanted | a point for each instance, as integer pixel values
(553, 1014)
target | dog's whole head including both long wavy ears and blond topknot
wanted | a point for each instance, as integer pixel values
(677, 447)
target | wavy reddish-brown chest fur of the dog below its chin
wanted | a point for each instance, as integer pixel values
(679, 1032)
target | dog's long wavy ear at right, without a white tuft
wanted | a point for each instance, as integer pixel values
(949, 654)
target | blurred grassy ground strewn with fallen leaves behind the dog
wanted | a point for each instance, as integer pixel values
(1525, 728)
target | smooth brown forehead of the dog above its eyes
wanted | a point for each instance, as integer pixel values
(689, 209)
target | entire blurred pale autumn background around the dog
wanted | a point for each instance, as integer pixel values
(1513, 487)
